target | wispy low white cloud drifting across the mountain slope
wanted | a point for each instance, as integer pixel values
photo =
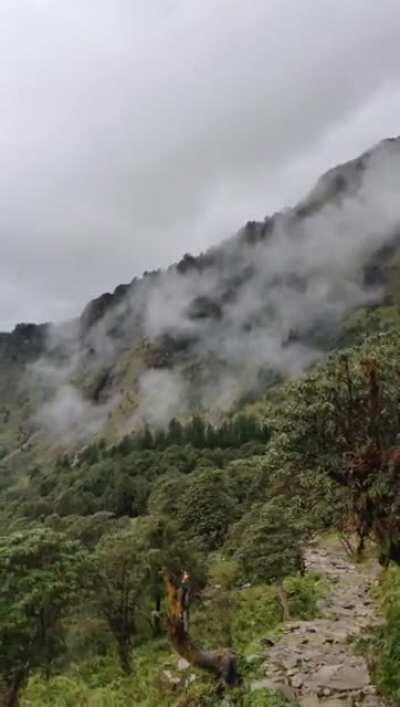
(220, 327)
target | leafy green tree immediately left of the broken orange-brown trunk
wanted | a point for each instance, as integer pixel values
(127, 577)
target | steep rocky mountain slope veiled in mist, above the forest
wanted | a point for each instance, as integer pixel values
(213, 331)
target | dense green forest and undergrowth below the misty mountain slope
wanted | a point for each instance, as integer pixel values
(91, 546)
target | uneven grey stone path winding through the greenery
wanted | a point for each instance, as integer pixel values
(312, 663)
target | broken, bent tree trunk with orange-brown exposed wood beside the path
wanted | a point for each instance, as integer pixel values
(221, 662)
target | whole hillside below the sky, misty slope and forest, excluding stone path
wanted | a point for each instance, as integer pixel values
(168, 457)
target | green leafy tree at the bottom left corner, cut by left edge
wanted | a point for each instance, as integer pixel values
(40, 577)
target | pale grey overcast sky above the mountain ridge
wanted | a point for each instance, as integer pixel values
(133, 131)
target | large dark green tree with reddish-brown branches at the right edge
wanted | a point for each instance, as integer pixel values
(343, 420)
